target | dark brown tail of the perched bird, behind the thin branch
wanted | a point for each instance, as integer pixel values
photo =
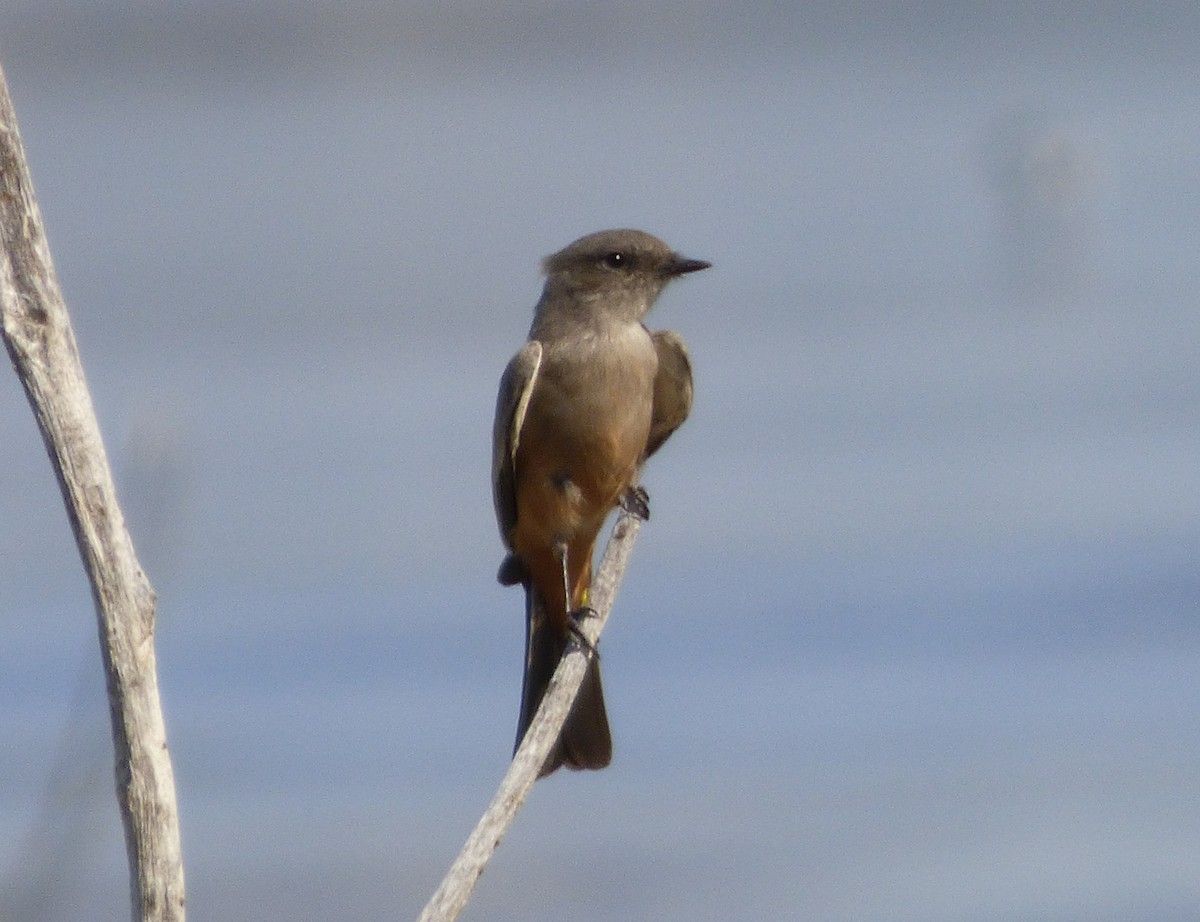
(585, 741)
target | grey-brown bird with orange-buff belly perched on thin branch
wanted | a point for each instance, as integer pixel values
(590, 397)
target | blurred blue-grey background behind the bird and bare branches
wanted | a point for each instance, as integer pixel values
(913, 634)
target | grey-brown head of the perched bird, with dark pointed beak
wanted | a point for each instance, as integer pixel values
(620, 273)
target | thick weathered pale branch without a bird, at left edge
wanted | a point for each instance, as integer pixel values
(41, 344)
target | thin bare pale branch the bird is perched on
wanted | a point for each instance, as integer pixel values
(455, 890)
